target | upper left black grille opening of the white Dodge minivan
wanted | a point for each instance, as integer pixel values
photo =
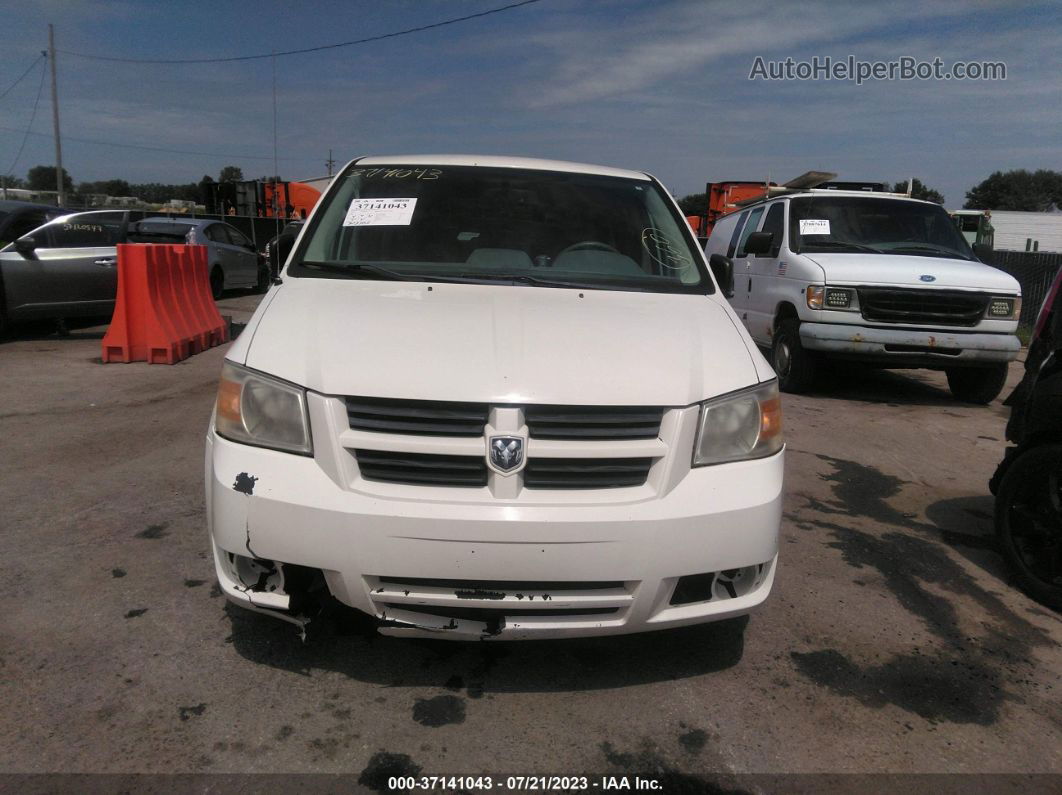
(419, 418)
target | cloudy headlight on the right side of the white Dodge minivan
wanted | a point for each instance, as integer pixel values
(741, 426)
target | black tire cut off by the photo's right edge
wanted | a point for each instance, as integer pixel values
(1029, 523)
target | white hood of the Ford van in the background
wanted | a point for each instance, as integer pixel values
(907, 271)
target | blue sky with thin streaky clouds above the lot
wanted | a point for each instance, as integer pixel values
(659, 87)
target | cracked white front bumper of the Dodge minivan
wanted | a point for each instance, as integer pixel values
(555, 568)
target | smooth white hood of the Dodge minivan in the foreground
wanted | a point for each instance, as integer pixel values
(498, 343)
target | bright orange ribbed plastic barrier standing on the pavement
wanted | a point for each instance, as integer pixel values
(164, 312)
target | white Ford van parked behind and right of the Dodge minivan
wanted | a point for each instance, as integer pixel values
(872, 278)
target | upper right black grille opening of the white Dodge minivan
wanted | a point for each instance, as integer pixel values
(593, 422)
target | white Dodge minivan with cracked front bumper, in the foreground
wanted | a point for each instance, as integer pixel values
(496, 399)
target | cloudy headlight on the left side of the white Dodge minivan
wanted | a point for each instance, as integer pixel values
(260, 410)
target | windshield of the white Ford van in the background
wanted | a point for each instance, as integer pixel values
(875, 226)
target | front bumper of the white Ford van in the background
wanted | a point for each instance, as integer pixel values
(910, 348)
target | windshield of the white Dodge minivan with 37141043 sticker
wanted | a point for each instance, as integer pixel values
(521, 227)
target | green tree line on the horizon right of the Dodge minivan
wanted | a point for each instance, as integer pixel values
(1030, 192)
